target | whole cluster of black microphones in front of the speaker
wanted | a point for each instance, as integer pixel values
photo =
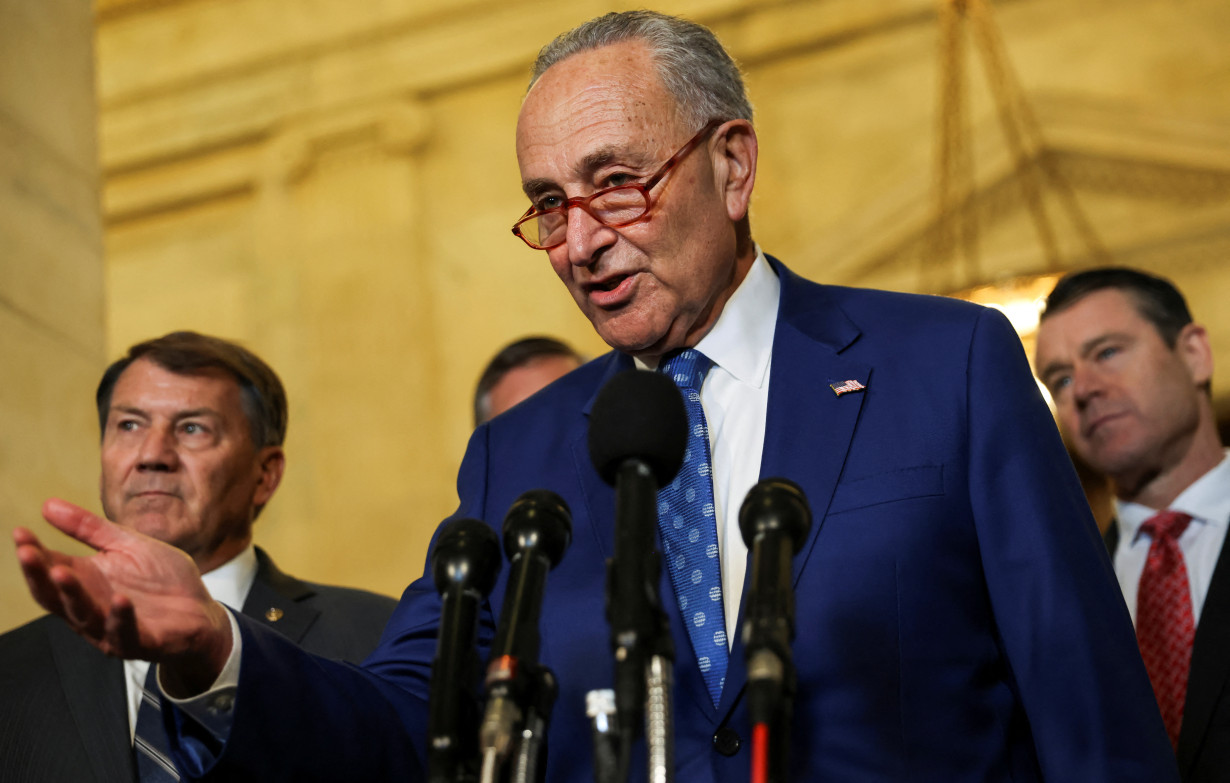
(490, 725)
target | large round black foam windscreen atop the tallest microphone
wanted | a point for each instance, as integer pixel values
(639, 415)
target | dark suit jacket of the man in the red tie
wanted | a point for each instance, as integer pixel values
(1205, 738)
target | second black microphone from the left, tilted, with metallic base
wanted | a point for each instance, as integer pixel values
(538, 530)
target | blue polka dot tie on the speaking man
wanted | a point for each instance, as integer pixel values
(689, 530)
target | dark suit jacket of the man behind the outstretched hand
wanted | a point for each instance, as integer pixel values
(63, 705)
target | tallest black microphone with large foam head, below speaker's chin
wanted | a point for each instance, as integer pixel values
(638, 436)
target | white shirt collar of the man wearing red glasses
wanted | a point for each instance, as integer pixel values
(741, 341)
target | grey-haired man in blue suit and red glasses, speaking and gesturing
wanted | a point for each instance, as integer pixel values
(958, 615)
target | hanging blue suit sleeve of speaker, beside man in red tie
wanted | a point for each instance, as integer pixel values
(1060, 614)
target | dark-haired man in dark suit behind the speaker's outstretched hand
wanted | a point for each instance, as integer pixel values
(192, 433)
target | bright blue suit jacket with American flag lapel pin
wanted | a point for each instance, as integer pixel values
(958, 614)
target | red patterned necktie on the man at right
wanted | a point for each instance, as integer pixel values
(1165, 625)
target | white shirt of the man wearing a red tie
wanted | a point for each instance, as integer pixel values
(1208, 502)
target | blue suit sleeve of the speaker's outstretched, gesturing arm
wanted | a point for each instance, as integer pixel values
(300, 717)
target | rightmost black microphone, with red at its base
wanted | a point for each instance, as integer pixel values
(774, 522)
